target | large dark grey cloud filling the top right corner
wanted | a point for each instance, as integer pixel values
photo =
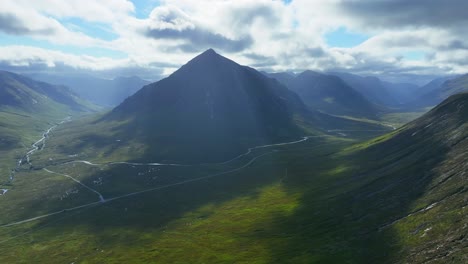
(405, 13)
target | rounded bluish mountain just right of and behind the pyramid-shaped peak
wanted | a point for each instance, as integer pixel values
(330, 94)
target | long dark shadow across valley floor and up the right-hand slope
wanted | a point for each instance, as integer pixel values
(337, 221)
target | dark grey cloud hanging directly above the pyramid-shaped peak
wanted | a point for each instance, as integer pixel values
(200, 39)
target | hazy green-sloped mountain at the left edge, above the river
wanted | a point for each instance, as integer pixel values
(27, 109)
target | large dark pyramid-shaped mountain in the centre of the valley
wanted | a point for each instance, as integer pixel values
(211, 109)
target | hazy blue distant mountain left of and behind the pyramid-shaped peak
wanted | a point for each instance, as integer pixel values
(100, 91)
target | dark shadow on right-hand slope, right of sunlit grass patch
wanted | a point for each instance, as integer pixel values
(345, 220)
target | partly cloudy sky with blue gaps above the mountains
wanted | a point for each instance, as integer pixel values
(397, 40)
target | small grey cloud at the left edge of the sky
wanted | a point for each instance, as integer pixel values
(11, 24)
